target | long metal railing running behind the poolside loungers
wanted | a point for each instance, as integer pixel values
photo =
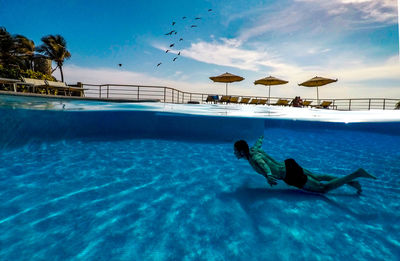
(171, 95)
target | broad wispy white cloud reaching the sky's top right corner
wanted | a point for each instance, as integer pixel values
(316, 16)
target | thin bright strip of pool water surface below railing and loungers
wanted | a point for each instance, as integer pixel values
(38, 102)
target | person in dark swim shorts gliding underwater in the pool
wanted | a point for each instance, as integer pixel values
(290, 172)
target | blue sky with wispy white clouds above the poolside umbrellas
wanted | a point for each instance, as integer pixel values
(355, 41)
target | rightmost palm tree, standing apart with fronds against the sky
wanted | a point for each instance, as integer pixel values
(55, 48)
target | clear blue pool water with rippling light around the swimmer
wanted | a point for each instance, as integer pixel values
(135, 184)
